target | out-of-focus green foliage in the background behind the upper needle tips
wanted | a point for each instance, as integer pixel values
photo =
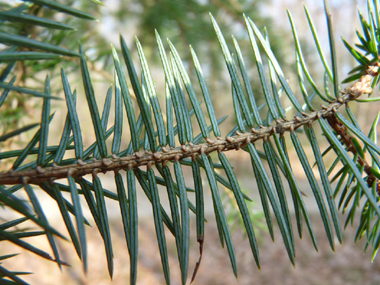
(184, 22)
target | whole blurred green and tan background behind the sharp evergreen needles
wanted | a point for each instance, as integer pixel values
(185, 23)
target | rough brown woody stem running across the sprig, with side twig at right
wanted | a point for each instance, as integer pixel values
(79, 169)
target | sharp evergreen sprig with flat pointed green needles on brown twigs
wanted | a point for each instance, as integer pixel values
(356, 153)
